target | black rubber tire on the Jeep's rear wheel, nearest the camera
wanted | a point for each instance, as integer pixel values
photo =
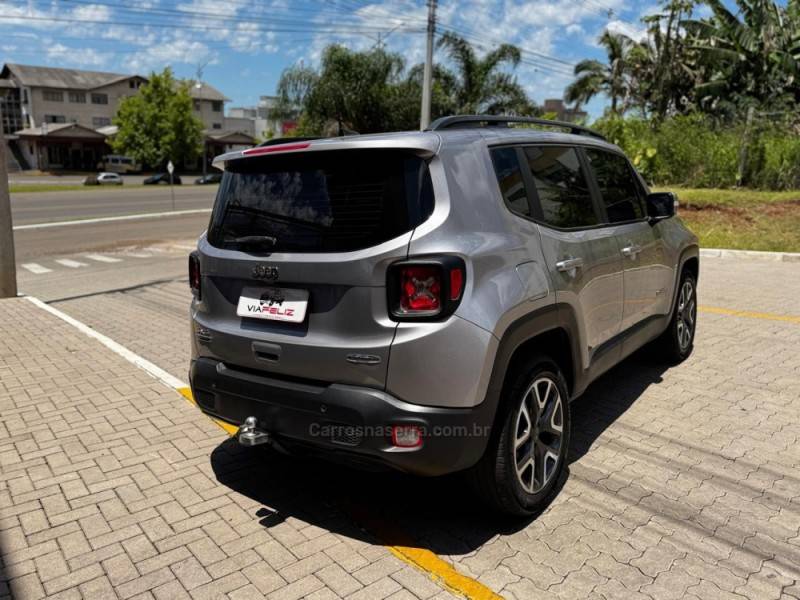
(495, 477)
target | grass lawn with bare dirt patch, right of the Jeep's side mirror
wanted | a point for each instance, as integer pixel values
(742, 219)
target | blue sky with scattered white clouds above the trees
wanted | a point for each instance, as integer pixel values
(243, 45)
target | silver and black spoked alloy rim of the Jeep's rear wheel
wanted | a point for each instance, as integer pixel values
(538, 434)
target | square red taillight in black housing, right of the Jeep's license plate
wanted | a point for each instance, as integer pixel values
(425, 289)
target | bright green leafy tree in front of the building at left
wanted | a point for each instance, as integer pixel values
(157, 125)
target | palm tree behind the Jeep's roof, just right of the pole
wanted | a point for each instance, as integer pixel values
(479, 85)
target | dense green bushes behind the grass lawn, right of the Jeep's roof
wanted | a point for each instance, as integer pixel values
(694, 151)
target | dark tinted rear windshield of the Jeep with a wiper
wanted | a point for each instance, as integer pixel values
(334, 201)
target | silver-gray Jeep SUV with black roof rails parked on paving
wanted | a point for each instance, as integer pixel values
(432, 301)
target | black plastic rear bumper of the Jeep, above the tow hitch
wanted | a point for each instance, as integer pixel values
(343, 422)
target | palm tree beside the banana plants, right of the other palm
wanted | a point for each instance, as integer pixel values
(594, 77)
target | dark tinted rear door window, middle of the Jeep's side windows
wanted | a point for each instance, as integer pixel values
(561, 187)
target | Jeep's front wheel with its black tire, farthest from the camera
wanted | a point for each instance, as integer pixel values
(677, 342)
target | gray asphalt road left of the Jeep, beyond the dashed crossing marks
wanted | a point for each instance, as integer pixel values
(30, 209)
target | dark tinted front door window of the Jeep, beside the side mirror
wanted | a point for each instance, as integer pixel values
(618, 188)
